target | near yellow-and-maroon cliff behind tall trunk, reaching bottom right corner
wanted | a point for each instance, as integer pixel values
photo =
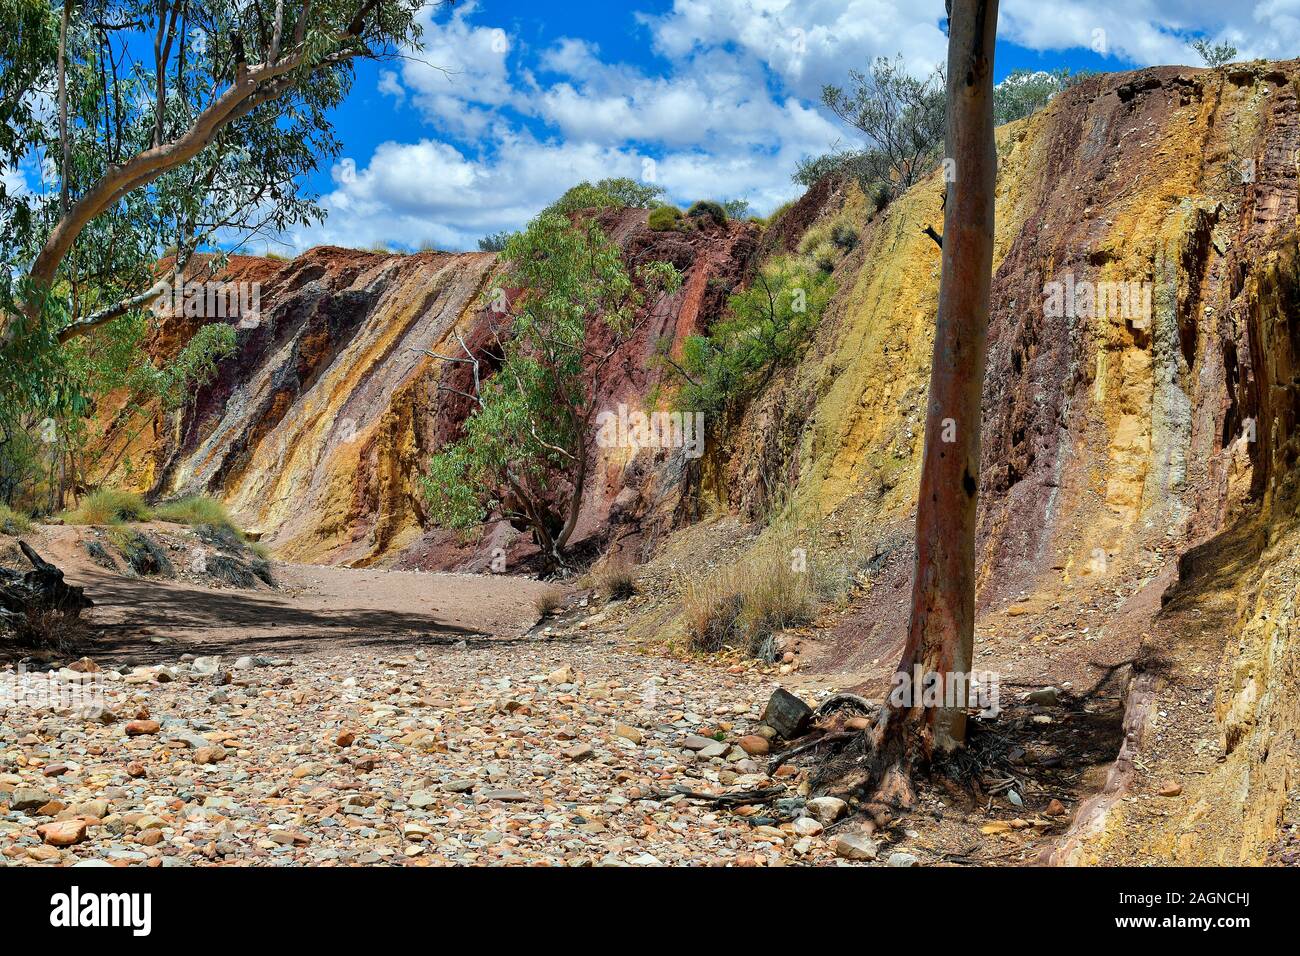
(1112, 444)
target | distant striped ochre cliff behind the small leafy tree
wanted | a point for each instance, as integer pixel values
(317, 432)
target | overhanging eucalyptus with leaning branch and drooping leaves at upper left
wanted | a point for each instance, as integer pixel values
(138, 132)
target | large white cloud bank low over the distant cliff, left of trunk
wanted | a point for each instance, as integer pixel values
(710, 128)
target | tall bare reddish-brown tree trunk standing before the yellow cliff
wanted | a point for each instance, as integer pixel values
(942, 631)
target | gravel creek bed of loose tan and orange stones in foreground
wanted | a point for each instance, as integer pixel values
(557, 751)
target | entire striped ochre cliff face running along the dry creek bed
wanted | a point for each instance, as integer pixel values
(1139, 466)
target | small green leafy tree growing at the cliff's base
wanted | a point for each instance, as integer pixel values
(536, 382)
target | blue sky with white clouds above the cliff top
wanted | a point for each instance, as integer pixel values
(510, 103)
